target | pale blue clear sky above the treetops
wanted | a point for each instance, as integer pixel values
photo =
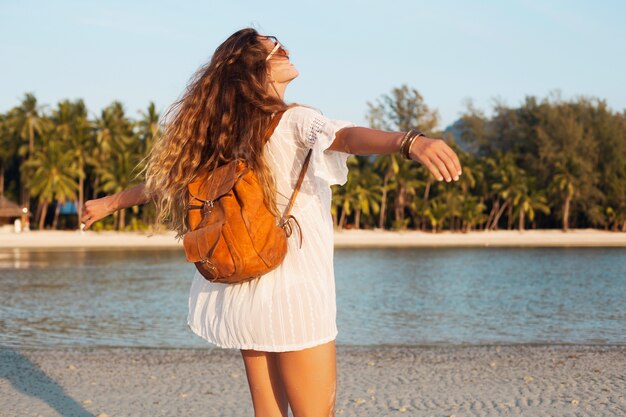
(348, 53)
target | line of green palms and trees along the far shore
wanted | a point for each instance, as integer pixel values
(548, 163)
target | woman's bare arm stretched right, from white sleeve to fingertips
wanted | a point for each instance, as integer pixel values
(435, 154)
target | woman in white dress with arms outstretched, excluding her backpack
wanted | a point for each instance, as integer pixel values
(283, 322)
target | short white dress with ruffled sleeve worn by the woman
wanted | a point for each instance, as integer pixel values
(292, 307)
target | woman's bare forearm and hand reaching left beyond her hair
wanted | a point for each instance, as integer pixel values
(94, 210)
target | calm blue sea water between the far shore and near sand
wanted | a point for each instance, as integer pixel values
(425, 296)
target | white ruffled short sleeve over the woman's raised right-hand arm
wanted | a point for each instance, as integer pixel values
(318, 132)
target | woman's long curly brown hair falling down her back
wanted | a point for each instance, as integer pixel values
(222, 115)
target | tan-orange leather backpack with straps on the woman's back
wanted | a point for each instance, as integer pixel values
(233, 237)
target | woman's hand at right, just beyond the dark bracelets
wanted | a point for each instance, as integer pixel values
(437, 156)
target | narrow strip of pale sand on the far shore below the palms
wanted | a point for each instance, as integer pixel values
(343, 239)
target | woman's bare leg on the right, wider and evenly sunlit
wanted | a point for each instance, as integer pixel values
(310, 379)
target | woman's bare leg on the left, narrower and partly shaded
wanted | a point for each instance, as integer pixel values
(268, 393)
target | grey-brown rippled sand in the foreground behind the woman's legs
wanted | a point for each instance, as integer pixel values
(524, 380)
